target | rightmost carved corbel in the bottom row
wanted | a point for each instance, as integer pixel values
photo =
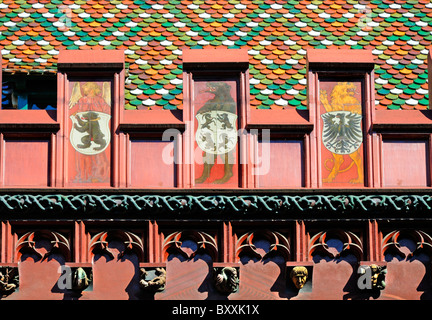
(372, 275)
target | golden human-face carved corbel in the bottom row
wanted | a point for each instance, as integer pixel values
(299, 275)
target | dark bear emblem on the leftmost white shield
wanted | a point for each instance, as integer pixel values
(89, 123)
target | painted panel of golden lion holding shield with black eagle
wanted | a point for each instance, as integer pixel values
(342, 134)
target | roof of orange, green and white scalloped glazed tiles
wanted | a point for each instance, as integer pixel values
(276, 33)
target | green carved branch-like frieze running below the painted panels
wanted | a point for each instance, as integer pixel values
(215, 204)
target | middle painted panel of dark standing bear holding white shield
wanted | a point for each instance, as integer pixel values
(216, 133)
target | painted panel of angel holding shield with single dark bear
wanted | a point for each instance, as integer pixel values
(90, 114)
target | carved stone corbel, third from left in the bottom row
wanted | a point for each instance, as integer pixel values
(152, 277)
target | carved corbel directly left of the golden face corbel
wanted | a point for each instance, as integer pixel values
(226, 277)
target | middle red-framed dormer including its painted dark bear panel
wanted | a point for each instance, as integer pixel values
(216, 93)
